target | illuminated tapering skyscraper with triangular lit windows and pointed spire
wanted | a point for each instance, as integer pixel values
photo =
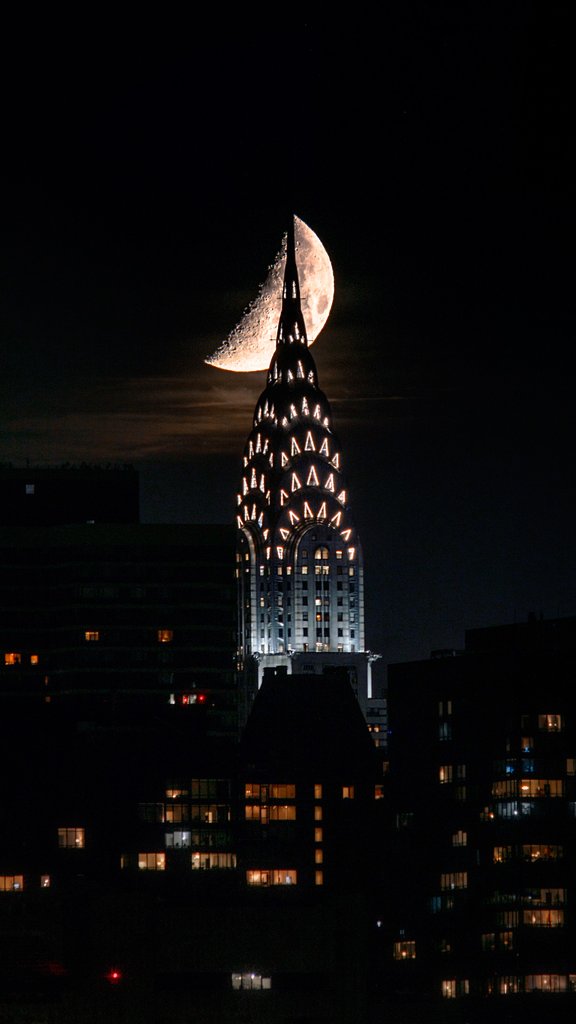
(300, 559)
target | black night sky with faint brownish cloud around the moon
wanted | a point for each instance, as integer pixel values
(148, 177)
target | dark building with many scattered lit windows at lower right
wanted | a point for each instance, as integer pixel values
(482, 792)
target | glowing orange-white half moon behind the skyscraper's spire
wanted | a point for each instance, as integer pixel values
(252, 345)
